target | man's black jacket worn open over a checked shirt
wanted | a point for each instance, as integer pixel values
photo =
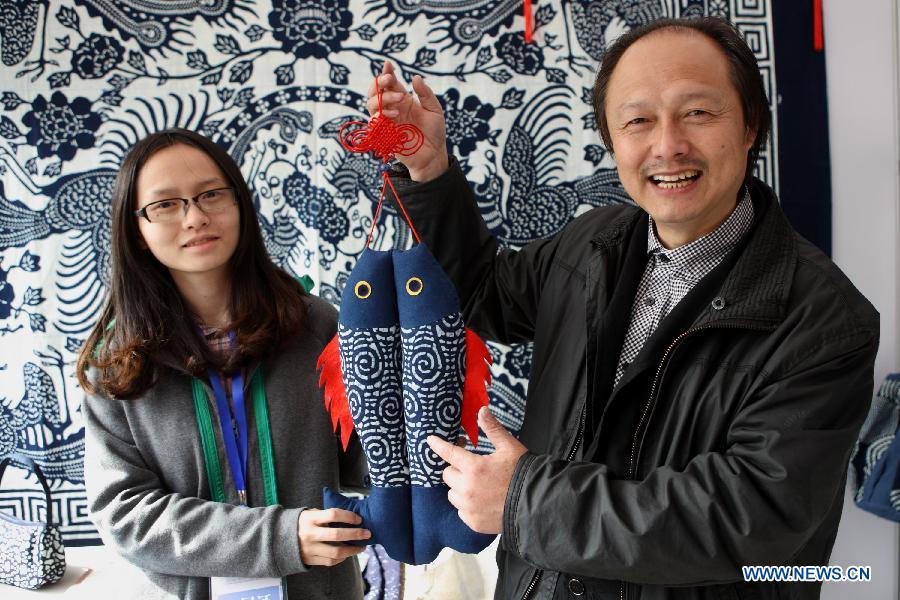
(727, 439)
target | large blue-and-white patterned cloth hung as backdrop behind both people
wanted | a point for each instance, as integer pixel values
(272, 81)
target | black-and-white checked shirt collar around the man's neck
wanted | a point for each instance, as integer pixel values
(690, 258)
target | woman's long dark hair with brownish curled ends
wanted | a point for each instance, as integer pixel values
(145, 325)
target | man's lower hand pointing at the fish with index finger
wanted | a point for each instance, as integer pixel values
(478, 484)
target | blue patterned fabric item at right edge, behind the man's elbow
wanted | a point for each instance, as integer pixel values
(875, 466)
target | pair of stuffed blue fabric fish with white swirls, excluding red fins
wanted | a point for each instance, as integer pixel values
(407, 510)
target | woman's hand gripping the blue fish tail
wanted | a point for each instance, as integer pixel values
(321, 544)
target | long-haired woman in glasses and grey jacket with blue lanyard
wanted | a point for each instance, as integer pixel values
(203, 393)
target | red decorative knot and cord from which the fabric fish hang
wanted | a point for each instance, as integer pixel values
(385, 139)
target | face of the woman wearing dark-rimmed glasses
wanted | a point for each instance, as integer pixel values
(194, 242)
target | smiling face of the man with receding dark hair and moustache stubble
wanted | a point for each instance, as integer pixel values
(678, 132)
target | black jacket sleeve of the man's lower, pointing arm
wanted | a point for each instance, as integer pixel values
(757, 503)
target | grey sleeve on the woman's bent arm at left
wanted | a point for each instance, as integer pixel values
(170, 533)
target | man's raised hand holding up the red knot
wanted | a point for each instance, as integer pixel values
(422, 110)
